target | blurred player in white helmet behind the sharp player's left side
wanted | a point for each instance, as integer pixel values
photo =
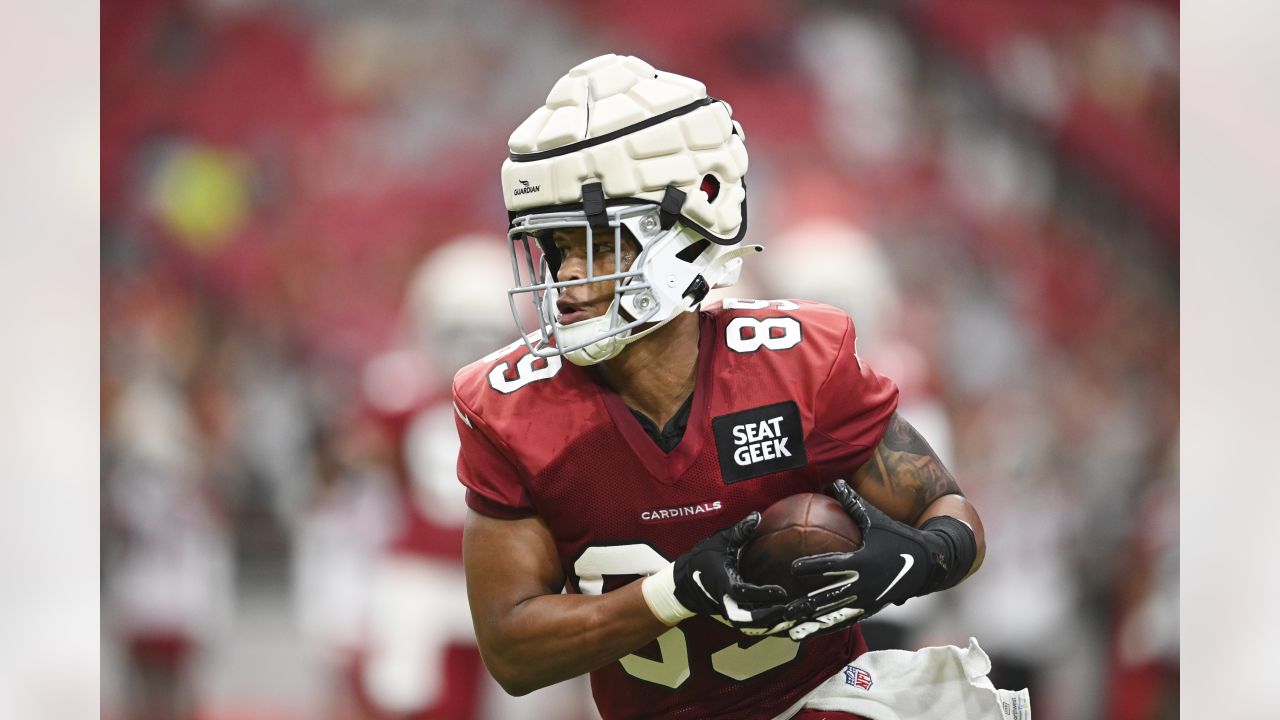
(419, 658)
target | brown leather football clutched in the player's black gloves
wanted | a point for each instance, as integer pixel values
(796, 527)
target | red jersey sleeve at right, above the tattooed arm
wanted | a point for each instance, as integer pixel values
(853, 408)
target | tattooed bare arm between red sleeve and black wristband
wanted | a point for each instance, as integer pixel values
(906, 480)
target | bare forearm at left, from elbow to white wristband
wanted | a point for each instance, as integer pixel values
(555, 637)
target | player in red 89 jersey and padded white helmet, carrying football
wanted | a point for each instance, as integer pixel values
(611, 495)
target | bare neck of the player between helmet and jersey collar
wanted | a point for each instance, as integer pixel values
(656, 373)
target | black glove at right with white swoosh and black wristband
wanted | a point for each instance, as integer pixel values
(897, 563)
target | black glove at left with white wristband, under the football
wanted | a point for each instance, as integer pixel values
(706, 581)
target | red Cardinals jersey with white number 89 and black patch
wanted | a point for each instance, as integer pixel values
(781, 405)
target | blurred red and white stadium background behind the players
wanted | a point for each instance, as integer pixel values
(999, 179)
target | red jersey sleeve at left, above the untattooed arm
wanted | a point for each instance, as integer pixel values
(495, 484)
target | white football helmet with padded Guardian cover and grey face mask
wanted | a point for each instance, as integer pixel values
(627, 151)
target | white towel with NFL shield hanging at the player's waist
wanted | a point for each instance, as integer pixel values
(934, 683)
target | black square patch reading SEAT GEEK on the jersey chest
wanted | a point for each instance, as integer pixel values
(760, 441)
